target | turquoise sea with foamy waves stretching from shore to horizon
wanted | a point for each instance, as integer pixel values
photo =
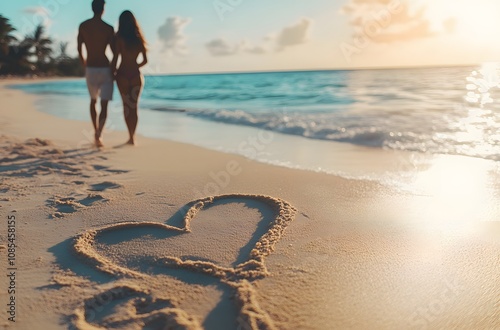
(432, 110)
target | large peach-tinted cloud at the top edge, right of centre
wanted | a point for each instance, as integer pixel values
(388, 21)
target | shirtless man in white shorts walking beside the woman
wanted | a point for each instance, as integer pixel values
(97, 36)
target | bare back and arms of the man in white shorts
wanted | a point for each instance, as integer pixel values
(96, 35)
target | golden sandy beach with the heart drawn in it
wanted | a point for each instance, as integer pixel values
(167, 235)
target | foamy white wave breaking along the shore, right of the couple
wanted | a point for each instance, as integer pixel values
(359, 130)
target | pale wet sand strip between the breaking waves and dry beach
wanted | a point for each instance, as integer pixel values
(394, 168)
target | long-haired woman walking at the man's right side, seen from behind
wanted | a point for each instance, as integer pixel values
(129, 44)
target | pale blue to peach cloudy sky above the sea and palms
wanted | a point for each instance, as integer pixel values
(186, 36)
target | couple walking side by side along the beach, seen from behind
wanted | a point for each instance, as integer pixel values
(126, 44)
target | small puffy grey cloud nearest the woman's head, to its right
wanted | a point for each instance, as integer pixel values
(172, 35)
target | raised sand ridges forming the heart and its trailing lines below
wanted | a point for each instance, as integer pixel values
(147, 311)
